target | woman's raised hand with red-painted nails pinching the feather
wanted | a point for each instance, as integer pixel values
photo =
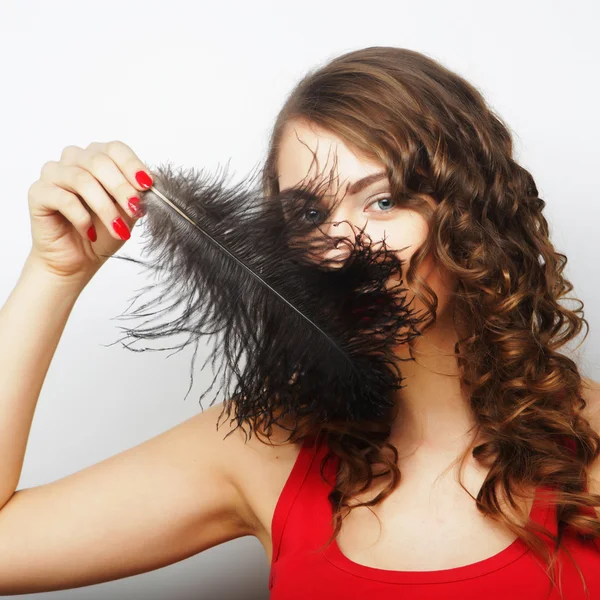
(80, 207)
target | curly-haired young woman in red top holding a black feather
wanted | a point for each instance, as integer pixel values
(491, 452)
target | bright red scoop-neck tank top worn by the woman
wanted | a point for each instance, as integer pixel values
(301, 569)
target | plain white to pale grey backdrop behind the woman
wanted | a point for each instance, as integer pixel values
(199, 83)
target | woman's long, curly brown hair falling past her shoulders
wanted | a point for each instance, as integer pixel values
(436, 136)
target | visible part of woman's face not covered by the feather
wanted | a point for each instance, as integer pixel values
(365, 203)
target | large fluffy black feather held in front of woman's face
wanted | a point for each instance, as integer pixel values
(298, 335)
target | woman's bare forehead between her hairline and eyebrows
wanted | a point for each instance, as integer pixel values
(307, 152)
